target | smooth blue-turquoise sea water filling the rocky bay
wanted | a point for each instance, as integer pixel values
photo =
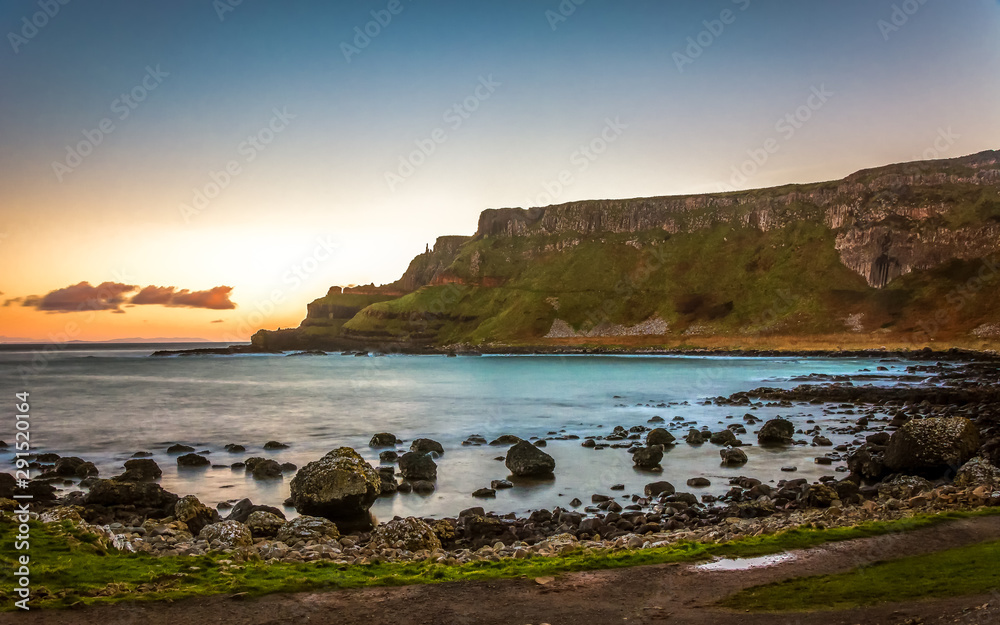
(103, 403)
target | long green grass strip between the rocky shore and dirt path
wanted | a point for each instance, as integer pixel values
(68, 568)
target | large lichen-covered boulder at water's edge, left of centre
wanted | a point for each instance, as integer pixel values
(338, 486)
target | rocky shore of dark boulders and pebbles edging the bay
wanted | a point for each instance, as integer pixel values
(917, 448)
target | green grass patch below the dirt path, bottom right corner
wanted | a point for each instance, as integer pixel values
(963, 571)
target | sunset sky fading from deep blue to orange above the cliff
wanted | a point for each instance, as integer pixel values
(206, 168)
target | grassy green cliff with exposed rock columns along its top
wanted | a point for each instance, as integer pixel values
(897, 254)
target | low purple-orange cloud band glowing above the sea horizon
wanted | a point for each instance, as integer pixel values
(112, 295)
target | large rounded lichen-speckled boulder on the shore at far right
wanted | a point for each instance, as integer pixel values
(932, 444)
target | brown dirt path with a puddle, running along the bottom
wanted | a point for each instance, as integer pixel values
(649, 594)
